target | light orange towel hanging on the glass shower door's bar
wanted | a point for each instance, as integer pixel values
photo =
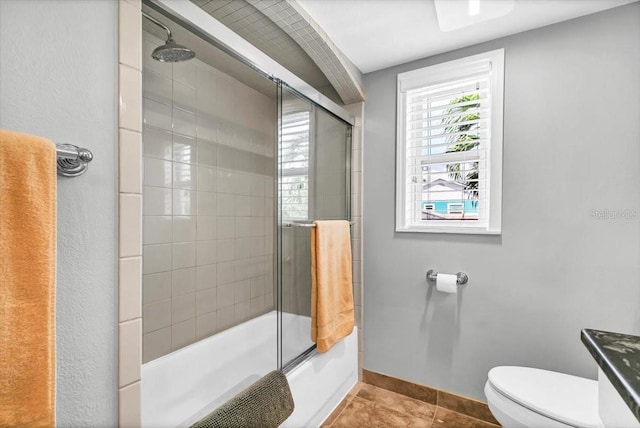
(332, 312)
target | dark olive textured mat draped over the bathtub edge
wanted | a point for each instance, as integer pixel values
(265, 404)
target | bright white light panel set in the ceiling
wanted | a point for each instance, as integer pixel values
(455, 14)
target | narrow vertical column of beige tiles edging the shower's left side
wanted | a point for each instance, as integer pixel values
(129, 212)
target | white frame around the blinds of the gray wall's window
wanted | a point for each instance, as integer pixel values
(440, 73)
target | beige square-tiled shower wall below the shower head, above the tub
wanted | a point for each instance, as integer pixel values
(208, 152)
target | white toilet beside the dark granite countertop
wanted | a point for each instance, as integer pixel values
(535, 398)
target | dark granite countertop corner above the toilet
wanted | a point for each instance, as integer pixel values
(618, 355)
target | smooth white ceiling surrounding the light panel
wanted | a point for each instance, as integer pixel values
(376, 34)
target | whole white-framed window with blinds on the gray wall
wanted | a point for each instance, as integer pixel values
(449, 146)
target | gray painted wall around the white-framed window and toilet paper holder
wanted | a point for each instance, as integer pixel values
(555, 269)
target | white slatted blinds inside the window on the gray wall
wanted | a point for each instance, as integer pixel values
(448, 130)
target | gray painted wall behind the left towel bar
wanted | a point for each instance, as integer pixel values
(58, 79)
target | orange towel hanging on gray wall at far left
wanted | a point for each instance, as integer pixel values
(27, 280)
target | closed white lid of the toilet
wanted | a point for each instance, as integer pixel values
(568, 399)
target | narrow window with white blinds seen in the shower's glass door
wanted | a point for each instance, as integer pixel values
(294, 164)
